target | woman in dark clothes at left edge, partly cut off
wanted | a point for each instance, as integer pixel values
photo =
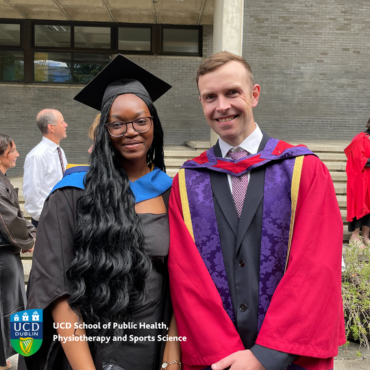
(16, 235)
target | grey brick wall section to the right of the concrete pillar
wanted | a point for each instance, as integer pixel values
(311, 60)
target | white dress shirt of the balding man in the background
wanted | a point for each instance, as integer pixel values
(42, 171)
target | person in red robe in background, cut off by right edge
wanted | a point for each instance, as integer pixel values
(358, 187)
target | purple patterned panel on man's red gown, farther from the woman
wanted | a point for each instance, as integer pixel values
(275, 231)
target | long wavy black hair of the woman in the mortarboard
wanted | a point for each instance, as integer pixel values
(108, 272)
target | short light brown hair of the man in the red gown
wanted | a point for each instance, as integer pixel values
(219, 59)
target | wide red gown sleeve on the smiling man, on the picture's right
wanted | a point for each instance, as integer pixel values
(305, 316)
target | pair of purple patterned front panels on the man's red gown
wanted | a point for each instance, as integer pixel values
(274, 238)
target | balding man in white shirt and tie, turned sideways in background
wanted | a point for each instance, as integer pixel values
(45, 163)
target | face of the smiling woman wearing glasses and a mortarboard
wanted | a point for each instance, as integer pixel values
(132, 146)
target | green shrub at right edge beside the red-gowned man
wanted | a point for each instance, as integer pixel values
(356, 293)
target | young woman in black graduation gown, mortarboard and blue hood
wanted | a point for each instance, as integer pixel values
(103, 238)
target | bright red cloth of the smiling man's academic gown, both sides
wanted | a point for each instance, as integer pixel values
(305, 316)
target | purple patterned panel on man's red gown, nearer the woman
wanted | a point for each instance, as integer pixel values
(206, 235)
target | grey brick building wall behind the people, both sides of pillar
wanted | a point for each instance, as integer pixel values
(310, 58)
